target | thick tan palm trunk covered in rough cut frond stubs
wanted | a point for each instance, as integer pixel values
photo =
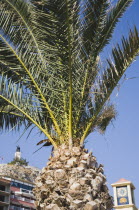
(72, 180)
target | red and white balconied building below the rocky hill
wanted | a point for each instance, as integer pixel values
(16, 194)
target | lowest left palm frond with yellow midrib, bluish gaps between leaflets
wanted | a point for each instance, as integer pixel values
(14, 95)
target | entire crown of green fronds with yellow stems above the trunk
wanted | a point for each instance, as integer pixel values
(50, 72)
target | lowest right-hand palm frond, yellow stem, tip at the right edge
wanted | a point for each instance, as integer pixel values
(123, 56)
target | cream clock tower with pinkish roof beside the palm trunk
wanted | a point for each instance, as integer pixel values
(124, 195)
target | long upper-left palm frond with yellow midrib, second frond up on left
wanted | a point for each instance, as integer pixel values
(25, 57)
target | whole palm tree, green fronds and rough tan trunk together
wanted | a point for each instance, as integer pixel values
(52, 79)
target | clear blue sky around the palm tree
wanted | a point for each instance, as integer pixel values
(118, 149)
